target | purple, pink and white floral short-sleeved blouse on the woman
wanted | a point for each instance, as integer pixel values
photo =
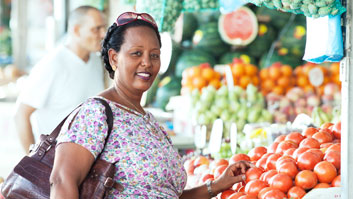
(147, 165)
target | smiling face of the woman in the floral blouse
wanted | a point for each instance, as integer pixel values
(138, 60)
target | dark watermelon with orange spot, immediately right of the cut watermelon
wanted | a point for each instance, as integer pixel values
(266, 36)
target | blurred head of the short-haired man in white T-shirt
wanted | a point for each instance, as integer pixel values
(86, 27)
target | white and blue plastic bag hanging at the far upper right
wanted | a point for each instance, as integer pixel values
(324, 42)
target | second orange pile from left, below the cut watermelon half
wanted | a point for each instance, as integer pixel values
(244, 73)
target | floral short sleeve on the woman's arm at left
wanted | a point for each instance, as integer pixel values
(88, 129)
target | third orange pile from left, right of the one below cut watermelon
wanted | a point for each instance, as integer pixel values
(277, 78)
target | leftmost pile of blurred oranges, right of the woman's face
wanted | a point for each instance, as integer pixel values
(197, 77)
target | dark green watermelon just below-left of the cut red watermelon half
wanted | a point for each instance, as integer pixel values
(208, 39)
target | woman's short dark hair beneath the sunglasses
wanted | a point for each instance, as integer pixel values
(115, 38)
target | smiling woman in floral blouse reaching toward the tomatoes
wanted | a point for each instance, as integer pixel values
(147, 165)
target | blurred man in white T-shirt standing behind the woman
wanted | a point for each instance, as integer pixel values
(69, 74)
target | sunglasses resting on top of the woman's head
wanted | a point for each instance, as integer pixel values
(128, 17)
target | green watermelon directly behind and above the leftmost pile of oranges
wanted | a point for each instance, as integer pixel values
(191, 58)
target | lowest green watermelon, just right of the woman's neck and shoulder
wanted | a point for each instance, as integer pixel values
(169, 86)
